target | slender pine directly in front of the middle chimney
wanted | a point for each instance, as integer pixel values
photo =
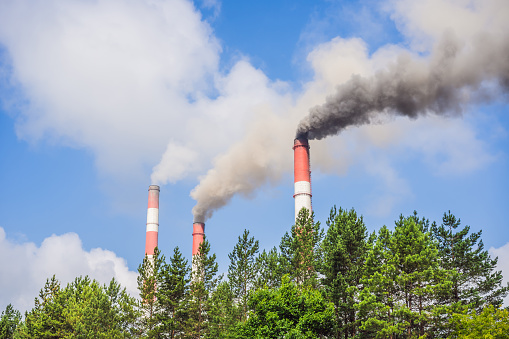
(203, 283)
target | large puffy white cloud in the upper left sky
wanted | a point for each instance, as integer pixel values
(115, 77)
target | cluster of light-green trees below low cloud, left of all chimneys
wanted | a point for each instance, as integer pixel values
(83, 309)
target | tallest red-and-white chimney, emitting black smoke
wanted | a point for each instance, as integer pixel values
(302, 175)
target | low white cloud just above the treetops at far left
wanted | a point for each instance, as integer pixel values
(29, 265)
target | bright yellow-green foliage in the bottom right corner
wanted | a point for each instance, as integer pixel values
(491, 323)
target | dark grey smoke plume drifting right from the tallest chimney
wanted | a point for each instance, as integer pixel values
(456, 73)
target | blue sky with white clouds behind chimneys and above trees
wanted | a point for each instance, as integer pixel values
(100, 99)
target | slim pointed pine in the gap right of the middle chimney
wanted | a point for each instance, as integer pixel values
(243, 270)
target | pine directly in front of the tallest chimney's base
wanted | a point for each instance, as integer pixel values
(300, 249)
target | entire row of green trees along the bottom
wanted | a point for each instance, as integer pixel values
(415, 279)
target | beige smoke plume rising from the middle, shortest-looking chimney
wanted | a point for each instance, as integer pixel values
(255, 161)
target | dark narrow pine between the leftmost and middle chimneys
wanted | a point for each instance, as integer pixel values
(172, 294)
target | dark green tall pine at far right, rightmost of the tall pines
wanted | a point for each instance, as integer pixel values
(474, 281)
